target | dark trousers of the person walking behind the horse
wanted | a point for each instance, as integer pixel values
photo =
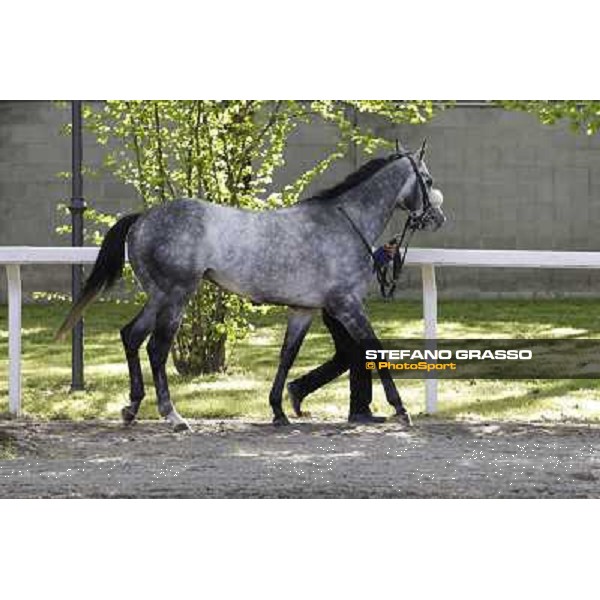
(347, 356)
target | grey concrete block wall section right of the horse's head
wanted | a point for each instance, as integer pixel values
(509, 183)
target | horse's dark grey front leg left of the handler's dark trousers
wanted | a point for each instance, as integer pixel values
(298, 324)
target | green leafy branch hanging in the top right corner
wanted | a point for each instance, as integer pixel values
(582, 115)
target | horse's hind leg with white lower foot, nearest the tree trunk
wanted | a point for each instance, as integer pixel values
(167, 323)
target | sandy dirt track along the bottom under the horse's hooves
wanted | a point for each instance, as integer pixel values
(238, 459)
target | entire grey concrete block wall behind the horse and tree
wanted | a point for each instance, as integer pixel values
(509, 182)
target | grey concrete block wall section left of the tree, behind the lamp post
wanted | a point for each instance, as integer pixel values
(32, 153)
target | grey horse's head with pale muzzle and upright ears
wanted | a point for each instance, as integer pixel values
(418, 196)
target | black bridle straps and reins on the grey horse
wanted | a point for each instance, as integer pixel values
(414, 222)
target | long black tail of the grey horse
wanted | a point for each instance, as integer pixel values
(108, 268)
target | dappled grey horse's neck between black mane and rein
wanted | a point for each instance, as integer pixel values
(373, 205)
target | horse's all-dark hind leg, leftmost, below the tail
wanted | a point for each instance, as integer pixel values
(133, 336)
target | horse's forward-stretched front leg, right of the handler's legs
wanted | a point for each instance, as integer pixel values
(350, 312)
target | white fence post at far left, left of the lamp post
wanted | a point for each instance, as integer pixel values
(13, 275)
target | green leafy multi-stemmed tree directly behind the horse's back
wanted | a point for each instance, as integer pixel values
(226, 152)
